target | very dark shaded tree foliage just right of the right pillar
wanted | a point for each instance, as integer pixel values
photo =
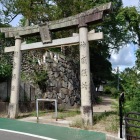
(100, 66)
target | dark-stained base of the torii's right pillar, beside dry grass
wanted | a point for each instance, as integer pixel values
(87, 115)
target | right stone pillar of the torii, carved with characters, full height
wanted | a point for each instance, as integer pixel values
(86, 103)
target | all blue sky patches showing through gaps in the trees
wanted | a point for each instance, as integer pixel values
(125, 57)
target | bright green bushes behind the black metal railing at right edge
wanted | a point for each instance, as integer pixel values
(131, 86)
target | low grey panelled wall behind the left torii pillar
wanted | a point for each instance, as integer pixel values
(27, 96)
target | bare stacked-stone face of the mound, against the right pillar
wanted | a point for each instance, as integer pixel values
(63, 81)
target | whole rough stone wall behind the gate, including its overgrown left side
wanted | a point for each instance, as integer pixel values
(63, 79)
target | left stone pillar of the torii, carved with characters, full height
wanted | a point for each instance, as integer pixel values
(14, 98)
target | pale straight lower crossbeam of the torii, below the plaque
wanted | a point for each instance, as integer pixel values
(74, 40)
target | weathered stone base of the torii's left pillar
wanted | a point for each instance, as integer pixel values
(13, 110)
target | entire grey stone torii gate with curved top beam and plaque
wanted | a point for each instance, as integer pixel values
(81, 20)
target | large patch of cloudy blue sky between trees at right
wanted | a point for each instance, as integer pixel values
(124, 58)
